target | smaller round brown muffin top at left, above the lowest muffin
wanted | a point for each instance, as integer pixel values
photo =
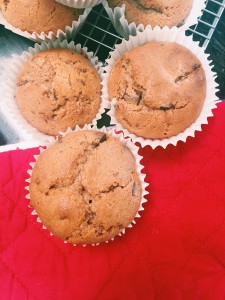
(57, 89)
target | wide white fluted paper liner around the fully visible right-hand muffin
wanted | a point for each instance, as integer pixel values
(165, 35)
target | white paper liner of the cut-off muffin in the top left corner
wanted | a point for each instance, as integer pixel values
(69, 32)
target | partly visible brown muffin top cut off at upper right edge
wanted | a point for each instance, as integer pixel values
(155, 12)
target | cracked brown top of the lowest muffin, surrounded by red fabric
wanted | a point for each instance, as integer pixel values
(85, 188)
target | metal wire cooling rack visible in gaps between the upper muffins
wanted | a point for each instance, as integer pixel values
(99, 35)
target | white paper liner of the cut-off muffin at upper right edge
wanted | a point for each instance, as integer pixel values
(119, 21)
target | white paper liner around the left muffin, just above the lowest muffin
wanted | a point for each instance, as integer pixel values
(8, 88)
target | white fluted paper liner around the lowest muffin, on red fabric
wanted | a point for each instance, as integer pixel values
(134, 150)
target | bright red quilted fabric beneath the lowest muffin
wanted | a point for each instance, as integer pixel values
(175, 251)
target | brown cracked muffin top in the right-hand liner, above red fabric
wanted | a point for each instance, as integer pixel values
(159, 89)
